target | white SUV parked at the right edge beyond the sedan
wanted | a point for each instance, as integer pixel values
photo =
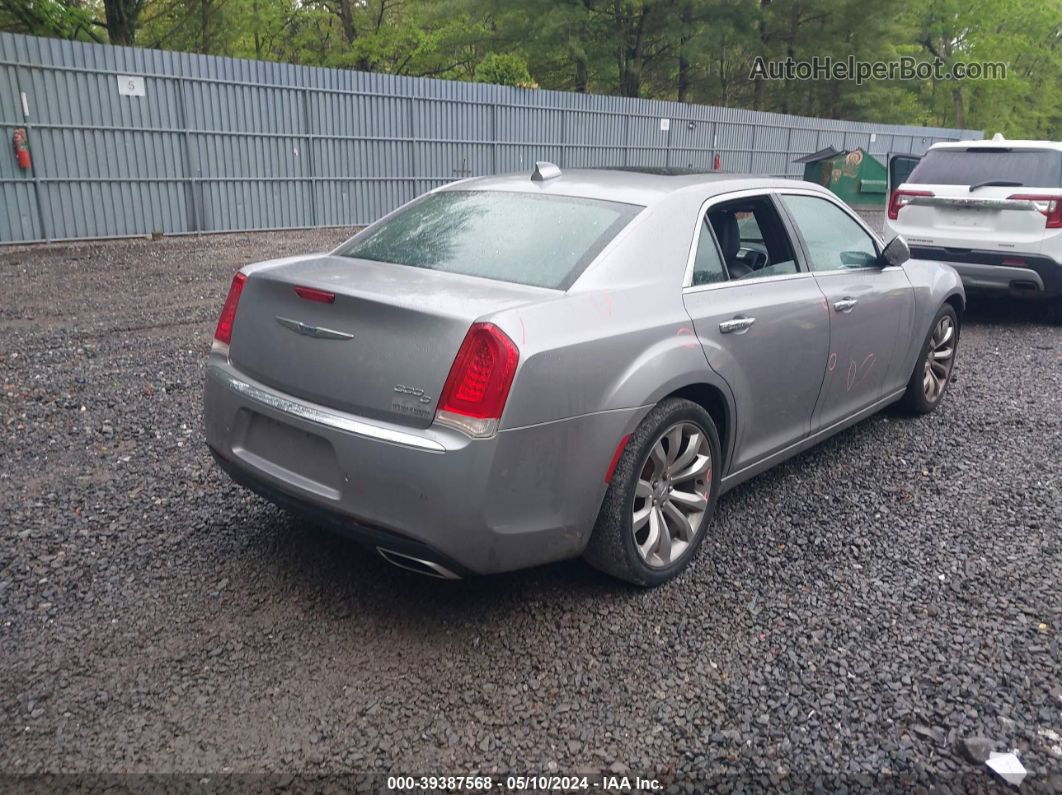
(990, 210)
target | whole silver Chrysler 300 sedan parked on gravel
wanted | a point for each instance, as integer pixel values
(518, 370)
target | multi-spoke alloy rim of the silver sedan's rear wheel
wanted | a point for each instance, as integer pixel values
(672, 495)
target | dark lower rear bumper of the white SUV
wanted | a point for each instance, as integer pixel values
(987, 270)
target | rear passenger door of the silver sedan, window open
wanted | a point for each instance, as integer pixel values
(761, 320)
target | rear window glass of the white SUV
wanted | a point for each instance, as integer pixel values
(1033, 168)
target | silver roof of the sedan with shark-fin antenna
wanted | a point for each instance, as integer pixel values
(640, 187)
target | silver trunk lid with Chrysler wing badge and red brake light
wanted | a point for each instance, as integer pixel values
(382, 349)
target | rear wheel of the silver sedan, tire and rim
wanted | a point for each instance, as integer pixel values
(662, 496)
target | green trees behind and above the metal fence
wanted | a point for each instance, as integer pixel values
(689, 50)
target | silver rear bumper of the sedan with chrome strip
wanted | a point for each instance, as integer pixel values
(526, 497)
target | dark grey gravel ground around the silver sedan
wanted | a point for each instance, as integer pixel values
(853, 615)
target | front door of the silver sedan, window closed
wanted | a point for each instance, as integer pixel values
(871, 307)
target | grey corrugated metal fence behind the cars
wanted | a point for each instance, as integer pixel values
(128, 142)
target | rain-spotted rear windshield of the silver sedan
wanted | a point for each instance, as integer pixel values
(528, 239)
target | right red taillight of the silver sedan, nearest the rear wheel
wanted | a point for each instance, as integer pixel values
(478, 385)
